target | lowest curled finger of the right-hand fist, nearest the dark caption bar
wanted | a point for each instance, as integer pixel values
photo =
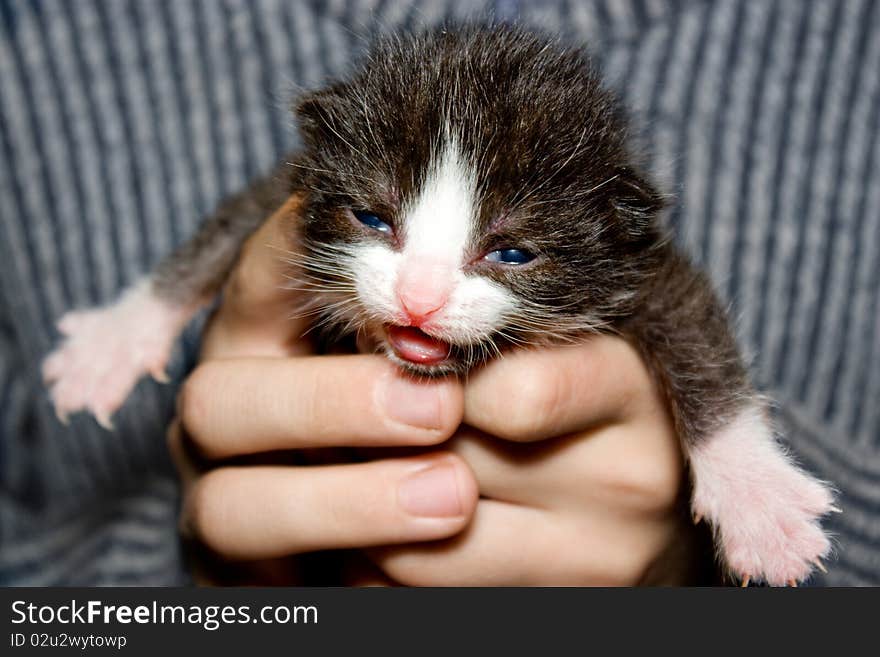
(510, 545)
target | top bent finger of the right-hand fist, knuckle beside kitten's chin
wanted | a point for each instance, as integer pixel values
(535, 394)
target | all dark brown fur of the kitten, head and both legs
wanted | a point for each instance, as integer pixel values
(555, 174)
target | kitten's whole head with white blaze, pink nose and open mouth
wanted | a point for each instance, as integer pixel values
(470, 189)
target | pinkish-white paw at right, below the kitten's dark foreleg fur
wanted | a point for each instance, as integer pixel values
(764, 509)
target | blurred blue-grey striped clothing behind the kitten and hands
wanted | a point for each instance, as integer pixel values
(122, 122)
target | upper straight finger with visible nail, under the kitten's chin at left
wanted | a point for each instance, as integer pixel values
(233, 407)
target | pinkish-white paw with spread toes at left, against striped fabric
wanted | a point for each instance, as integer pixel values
(106, 350)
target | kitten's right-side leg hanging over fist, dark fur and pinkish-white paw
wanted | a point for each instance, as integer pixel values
(763, 508)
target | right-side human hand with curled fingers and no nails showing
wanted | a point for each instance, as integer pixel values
(580, 474)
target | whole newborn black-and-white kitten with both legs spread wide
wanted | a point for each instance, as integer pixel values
(467, 191)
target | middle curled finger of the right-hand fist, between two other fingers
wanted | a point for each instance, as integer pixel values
(635, 468)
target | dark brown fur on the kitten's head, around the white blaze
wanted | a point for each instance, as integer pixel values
(550, 145)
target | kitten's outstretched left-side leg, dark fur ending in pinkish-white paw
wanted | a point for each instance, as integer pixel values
(106, 350)
